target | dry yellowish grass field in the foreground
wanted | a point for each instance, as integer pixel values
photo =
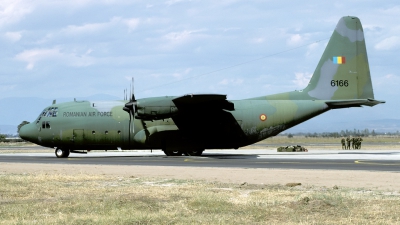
(83, 199)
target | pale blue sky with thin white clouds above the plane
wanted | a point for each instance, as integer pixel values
(57, 49)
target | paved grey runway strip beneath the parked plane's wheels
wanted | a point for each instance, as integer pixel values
(379, 160)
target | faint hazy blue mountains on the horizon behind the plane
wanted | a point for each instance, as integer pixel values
(15, 110)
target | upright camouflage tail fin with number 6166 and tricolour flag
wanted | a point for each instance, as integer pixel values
(343, 71)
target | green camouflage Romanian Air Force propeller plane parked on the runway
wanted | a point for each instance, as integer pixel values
(190, 124)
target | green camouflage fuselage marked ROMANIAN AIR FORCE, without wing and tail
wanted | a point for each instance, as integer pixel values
(104, 125)
